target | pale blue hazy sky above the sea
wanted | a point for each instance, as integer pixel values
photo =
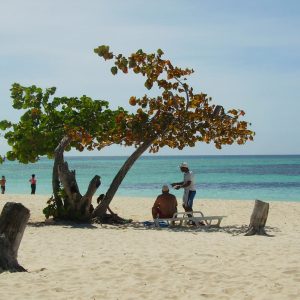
(246, 54)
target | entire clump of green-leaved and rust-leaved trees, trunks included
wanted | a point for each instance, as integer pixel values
(177, 117)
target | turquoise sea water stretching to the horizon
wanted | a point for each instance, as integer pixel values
(217, 177)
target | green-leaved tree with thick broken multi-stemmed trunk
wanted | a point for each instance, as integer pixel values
(49, 126)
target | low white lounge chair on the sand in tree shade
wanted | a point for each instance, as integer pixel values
(196, 217)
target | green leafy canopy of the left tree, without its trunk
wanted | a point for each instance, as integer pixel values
(46, 120)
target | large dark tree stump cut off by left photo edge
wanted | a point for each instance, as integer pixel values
(13, 220)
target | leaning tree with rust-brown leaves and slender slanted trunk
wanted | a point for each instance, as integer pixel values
(177, 117)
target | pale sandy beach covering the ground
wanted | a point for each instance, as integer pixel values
(109, 262)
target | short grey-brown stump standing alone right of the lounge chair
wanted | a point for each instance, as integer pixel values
(258, 218)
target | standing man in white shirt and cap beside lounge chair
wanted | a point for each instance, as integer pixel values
(188, 184)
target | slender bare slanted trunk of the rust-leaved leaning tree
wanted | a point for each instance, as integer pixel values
(102, 207)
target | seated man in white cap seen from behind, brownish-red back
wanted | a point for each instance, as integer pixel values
(165, 205)
